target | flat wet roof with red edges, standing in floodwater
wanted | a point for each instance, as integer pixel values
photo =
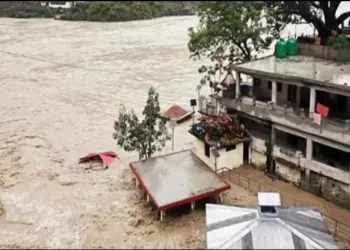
(175, 179)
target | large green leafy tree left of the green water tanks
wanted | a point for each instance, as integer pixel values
(234, 31)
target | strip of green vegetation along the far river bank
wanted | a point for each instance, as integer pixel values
(100, 11)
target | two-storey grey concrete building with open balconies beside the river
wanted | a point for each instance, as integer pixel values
(277, 108)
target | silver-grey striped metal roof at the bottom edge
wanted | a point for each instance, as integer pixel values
(243, 228)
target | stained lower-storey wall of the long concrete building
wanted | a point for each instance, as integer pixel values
(325, 181)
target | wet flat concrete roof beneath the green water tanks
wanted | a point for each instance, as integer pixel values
(301, 68)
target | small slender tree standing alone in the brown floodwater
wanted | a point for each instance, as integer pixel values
(146, 136)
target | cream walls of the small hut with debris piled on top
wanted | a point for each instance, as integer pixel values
(231, 159)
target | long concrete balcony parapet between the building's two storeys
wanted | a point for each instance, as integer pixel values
(335, 130)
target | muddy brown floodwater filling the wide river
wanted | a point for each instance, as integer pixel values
(61, 84)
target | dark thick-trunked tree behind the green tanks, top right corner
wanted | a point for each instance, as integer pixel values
(321, 14)
